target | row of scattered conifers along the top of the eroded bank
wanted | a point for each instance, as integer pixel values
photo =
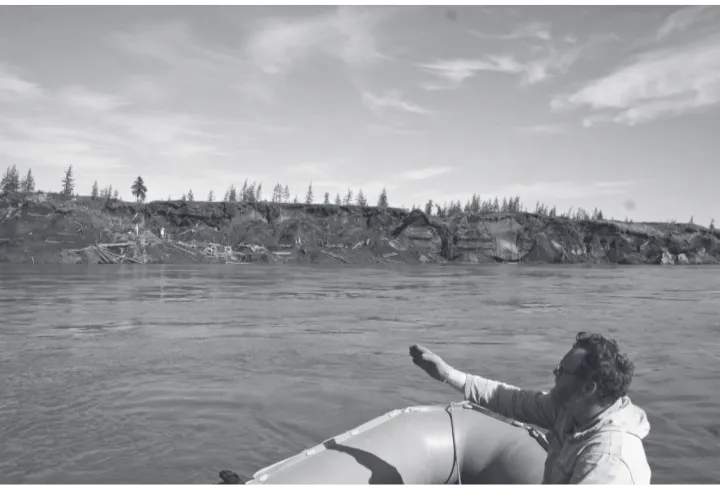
(253, 192)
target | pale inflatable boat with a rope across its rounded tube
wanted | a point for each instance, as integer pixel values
(456, 443)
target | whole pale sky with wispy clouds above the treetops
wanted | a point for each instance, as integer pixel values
(613, 107)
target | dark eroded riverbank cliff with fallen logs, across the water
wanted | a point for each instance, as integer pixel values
(39, 228)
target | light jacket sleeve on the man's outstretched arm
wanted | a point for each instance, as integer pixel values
(532, 407)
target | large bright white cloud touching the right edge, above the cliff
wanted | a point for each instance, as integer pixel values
(662, 83)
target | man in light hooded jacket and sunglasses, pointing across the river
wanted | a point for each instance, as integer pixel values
(595, 432)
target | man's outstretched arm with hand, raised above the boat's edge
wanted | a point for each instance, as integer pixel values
(531, 407)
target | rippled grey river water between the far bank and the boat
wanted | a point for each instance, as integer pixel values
(169, 374)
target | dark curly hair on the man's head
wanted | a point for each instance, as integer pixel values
(605, 365)
